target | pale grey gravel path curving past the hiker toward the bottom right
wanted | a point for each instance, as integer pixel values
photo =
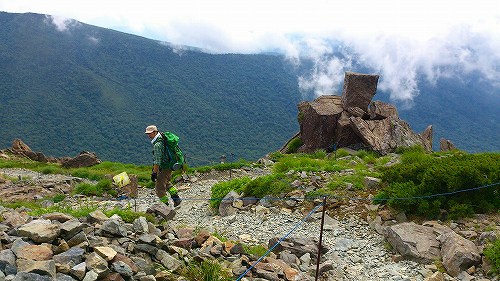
(356, 251)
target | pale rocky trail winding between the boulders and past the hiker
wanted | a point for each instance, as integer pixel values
(356, 251)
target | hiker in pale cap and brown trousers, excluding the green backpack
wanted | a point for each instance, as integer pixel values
(161, 173)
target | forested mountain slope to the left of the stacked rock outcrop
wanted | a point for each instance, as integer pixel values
(132, 86)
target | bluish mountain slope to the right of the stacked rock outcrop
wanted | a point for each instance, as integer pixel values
(467, 112)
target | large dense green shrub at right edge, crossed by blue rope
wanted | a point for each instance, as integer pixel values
(428, 176)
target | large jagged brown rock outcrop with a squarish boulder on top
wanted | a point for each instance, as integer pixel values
(354, 120)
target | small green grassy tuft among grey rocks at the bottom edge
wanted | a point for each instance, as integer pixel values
(207, 270)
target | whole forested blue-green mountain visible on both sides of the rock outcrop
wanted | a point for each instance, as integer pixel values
(96, 89)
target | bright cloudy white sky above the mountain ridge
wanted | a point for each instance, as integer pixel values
(399, 39)
